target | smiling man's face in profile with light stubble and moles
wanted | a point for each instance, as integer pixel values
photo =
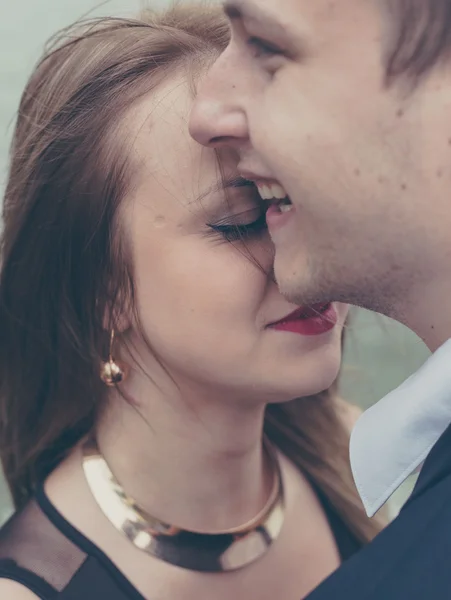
(301, 93)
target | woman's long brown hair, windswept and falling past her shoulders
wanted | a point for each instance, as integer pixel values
(64, 264)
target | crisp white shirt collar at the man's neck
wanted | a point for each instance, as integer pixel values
(392, 439)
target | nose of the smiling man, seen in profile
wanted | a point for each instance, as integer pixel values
(216, 118)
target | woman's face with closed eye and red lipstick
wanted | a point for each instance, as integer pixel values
(204, 304)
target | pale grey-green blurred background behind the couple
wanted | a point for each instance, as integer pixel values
(379, 354)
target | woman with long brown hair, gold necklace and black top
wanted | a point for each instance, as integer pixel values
(142, 336)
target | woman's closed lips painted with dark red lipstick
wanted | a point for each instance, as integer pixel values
(312, 320)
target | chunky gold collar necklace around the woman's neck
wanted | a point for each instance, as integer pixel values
(209, 552)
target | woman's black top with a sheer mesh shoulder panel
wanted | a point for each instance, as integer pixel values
(46, 554)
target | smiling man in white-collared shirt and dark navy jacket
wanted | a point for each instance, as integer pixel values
(346, 105)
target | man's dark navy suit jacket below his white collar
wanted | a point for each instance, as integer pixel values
(411, 558)
